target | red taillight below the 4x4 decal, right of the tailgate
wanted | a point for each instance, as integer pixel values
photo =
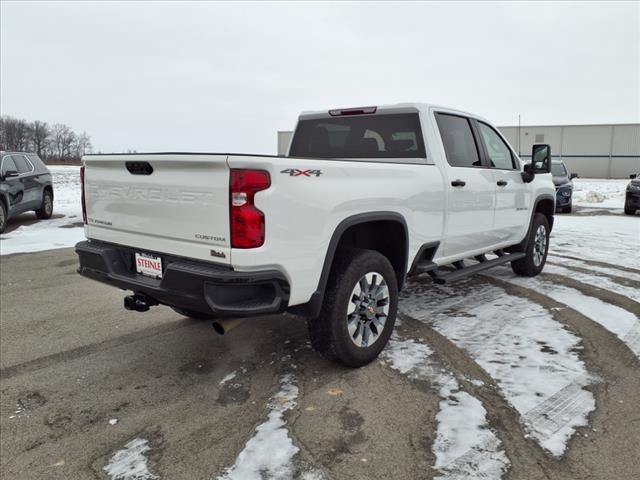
(246, 221)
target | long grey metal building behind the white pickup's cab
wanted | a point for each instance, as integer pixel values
(591, 151)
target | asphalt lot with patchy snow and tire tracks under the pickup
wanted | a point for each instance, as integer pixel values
(492, 377)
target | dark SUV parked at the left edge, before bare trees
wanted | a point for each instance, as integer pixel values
(25, 184)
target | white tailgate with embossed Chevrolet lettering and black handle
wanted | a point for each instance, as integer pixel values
(168, 203)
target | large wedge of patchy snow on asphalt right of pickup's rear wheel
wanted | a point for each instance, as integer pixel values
(519, 344)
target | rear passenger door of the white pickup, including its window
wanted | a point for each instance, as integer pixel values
(470, 188)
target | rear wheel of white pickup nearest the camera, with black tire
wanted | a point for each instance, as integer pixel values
(329, 332)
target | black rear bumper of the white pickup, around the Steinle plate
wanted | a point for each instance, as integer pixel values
(187, 284)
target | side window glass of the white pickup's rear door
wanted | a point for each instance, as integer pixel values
(457, 137)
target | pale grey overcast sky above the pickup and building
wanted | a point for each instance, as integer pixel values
(200, 76)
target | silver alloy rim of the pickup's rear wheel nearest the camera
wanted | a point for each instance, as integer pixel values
(368, 309)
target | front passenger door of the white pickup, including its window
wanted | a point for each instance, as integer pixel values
(512, 195)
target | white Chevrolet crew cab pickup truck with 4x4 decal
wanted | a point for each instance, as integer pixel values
(365, 198)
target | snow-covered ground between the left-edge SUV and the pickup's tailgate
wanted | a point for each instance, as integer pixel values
(58, 232)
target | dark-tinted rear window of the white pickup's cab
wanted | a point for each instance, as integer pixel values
(369, 136)
